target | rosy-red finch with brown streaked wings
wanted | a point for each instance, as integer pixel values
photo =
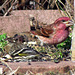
(54, 33)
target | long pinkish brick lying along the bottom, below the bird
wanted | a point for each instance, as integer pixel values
(41, 67)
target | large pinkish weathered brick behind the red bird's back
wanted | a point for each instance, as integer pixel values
(19, 20)
